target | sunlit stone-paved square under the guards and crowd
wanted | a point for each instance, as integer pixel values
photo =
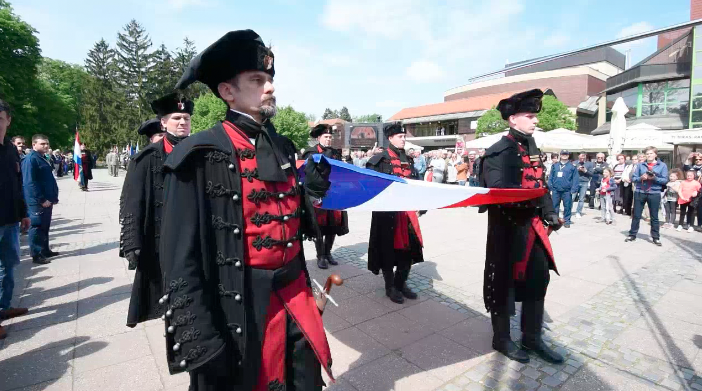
(628, 316)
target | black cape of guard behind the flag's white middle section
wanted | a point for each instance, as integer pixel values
(381, 243)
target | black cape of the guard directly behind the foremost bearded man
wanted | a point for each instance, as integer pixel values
(140, 208)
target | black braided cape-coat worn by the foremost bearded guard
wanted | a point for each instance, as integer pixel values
(202, 252)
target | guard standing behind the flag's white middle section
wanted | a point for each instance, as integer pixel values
(395, 237)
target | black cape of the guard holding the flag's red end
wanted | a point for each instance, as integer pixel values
(508, 228)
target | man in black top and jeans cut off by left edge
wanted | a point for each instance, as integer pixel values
(13, 214)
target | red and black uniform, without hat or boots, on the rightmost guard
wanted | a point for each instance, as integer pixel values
(518, 250)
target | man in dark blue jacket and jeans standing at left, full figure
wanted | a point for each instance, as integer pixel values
(40, 193)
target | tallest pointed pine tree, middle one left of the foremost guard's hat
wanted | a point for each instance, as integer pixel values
(135, 63)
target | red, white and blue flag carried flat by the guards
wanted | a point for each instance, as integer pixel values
(353, 188)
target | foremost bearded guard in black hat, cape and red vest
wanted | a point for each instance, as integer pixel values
(234, 218)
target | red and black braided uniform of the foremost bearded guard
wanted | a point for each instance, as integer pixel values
(233, 264)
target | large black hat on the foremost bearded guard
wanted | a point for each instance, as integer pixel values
(236, 52)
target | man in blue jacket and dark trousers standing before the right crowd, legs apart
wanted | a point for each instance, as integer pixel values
(650, 177)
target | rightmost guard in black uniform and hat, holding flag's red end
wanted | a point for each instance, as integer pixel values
(518, 254)
